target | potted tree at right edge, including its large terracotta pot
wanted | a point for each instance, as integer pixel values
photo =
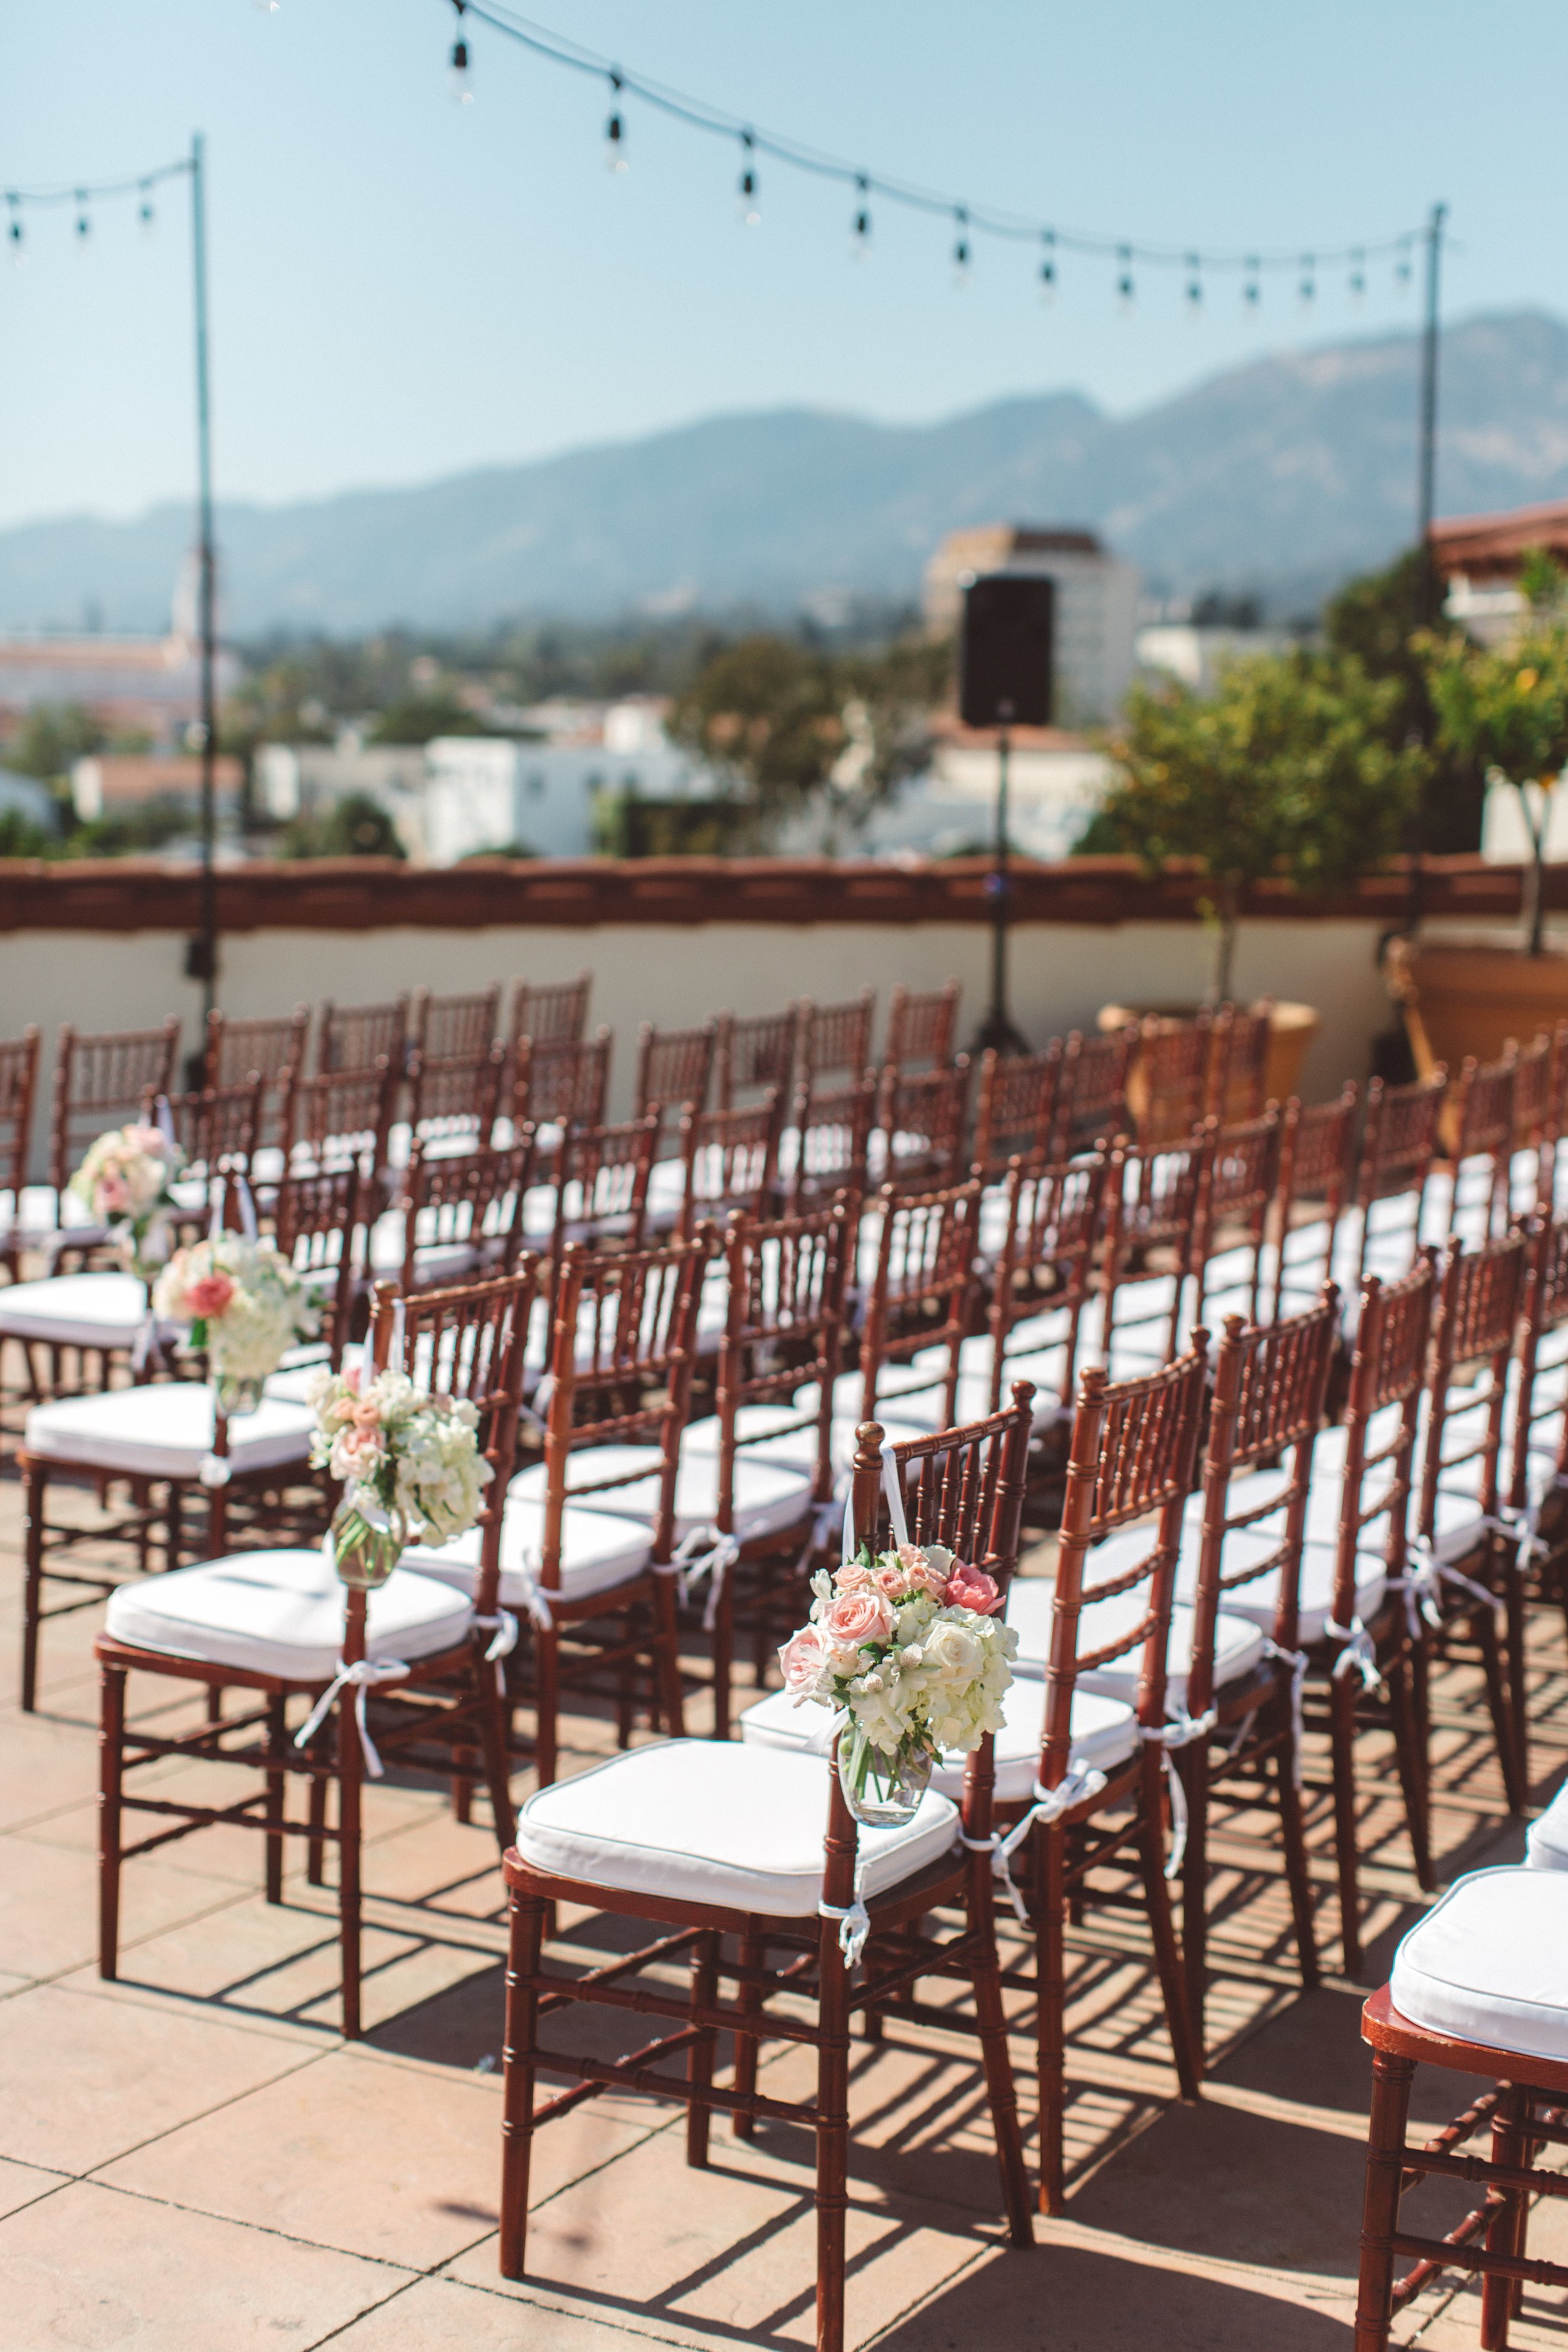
(1508, 709)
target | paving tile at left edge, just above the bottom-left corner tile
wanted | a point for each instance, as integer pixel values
(83, 2080)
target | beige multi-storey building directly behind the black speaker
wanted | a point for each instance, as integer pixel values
(1097, 606)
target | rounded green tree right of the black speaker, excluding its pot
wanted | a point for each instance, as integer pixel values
(1285, 770)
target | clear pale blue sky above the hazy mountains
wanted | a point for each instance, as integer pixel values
(406, 288)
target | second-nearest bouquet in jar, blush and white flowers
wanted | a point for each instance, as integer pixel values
(410, 1466)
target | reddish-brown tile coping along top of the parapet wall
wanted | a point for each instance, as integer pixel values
(373, 895)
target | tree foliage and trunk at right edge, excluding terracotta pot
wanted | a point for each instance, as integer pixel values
(1508, 711)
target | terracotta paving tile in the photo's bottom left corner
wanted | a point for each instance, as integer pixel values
(91, 2271)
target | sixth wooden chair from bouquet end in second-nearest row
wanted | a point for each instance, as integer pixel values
(1153, 1227)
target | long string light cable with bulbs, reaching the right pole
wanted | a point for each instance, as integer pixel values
(1249, 265)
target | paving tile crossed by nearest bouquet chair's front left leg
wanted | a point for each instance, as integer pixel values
(363, 2153)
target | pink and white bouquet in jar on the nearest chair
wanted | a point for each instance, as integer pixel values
(913, 1652)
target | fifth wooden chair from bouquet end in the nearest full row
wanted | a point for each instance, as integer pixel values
(1463, 1553)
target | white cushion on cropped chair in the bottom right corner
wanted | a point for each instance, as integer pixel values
(1487, 1963)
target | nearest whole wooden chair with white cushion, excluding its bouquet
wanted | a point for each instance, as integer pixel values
(721, 1840)
